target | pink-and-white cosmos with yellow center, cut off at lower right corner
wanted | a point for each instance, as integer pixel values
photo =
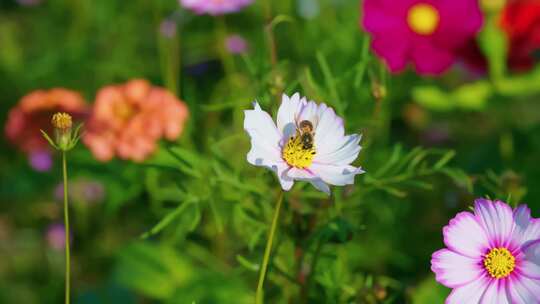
(492, 256)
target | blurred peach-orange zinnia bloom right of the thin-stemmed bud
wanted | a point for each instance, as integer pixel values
(128, 119)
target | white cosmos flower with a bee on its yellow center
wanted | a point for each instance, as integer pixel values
(281, 149)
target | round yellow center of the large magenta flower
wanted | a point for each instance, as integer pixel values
(423, 18)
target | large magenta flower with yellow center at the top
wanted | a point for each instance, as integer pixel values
(426, 33)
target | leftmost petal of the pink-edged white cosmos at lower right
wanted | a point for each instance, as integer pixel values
(453, 269)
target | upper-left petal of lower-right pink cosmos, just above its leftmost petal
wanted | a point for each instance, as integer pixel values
(464, 235)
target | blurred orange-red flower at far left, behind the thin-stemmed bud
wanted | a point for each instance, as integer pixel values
(34, 112)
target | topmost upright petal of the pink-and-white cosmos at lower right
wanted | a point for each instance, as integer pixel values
(497, 219)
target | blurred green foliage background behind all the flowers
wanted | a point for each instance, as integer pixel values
(189, 224)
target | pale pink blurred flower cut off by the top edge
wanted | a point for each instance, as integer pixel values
(215, 7)
